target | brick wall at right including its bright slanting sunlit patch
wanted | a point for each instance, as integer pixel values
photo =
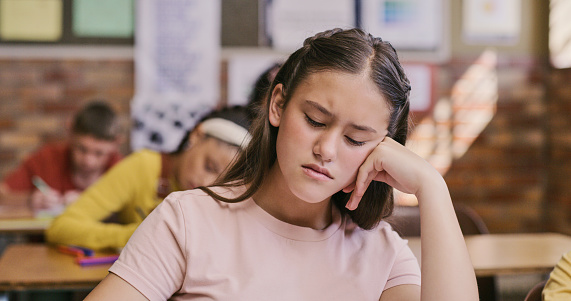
(487, 134)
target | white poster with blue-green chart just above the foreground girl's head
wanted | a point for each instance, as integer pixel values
(408, 24)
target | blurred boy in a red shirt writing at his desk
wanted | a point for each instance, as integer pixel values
(53, 176)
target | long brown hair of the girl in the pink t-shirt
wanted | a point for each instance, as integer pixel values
(350, 51)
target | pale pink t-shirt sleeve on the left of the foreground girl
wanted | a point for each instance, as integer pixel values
(154, 260)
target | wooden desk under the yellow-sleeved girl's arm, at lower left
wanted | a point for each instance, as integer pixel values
(39, 266)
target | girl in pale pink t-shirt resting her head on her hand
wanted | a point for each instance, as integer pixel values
(299, 215)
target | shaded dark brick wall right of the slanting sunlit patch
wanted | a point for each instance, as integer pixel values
(503, 175)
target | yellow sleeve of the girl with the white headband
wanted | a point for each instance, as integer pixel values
(131, 181)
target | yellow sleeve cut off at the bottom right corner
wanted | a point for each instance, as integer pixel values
(558, 286)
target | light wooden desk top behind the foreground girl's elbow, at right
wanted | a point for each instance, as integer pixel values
(501, 254)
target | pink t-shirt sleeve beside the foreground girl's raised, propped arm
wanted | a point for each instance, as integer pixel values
(405, 268)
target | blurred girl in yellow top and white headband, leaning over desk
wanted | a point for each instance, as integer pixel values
(135, 186)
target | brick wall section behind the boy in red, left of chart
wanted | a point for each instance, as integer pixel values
(38, 97)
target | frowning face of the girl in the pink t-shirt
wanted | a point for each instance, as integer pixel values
(331, 124)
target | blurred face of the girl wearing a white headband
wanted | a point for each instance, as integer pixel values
(203, 161)
